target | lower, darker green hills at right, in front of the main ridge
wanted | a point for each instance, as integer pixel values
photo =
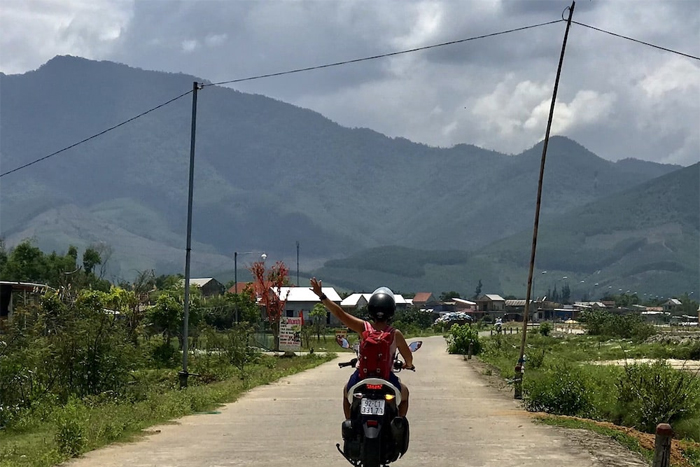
(646, 240)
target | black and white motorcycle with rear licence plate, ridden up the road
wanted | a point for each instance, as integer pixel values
(374, 436)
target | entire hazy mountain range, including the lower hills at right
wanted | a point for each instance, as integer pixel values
(270, 174)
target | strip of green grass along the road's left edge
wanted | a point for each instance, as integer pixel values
(47, 439)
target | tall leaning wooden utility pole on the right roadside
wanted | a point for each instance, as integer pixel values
(521, 359)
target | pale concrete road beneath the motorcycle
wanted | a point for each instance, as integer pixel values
(457, 419)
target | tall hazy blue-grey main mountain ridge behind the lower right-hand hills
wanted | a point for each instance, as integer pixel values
(268, 174)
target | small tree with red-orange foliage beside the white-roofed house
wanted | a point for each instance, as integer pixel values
(267, 285)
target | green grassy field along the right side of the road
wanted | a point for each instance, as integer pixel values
(551, 359)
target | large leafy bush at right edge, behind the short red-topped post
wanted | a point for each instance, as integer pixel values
(656, 393)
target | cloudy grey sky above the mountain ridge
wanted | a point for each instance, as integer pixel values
(618, 98)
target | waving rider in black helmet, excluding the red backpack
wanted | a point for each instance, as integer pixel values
(381, 308)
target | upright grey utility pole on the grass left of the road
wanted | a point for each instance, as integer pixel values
(184, 374)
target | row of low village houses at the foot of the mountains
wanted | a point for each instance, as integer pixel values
(488, 307)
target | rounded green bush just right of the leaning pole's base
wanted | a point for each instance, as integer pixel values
(561, 390)
